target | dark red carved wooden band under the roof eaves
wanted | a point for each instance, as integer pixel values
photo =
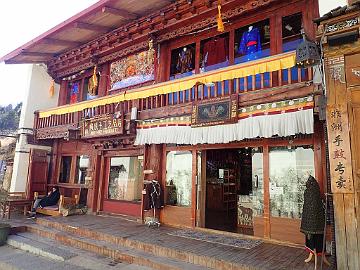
(79, 58)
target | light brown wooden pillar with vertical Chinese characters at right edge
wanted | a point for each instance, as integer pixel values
(342, 156)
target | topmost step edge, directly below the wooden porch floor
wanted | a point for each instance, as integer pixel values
(178, 253)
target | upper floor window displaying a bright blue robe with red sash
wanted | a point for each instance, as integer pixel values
(252, 41)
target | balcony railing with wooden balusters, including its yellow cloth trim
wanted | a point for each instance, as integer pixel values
(233, 79)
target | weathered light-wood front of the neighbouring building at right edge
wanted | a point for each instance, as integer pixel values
(339, 36)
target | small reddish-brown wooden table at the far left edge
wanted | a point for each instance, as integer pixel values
(14, 200)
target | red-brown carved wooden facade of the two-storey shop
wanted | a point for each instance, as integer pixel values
(270, 79)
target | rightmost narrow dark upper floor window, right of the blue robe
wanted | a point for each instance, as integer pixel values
(291, 31)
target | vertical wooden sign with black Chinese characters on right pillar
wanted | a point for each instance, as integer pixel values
(339, 149)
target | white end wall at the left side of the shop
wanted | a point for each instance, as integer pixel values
(36, 98)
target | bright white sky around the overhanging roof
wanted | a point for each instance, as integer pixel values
(31, 19)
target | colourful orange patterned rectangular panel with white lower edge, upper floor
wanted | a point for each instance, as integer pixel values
(132, 70)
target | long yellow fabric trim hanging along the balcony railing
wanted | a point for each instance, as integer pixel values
(268, 64)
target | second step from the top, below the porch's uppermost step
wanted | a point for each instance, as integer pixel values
(114, 251)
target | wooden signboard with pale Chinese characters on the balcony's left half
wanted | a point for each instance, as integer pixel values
(103, 125)
